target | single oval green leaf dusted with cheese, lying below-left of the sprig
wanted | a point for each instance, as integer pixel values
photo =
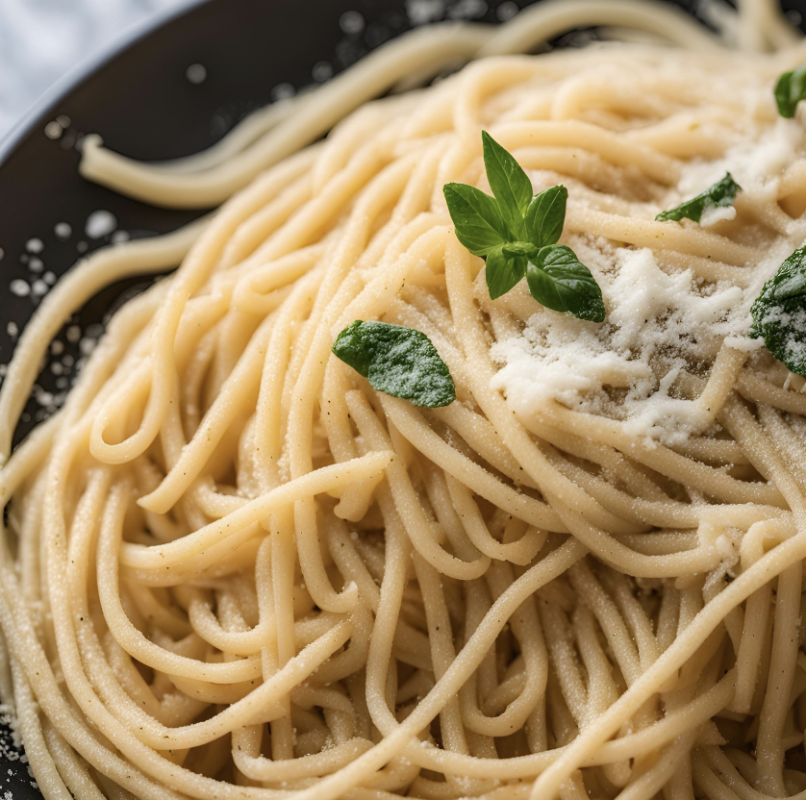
(398, 361)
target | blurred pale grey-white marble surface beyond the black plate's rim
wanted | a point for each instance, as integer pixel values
(42, 40)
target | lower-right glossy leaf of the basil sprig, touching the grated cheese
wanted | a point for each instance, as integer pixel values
(559, 281)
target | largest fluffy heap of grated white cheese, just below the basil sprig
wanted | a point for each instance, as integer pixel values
(657, 325)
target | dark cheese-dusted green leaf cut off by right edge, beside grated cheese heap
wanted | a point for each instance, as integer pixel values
(779, 313)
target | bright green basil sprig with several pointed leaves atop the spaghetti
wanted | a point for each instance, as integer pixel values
(517, 233)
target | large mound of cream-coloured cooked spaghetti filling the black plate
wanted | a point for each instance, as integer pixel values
(233, 570)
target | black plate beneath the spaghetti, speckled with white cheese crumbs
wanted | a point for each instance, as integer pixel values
(141, 99)
